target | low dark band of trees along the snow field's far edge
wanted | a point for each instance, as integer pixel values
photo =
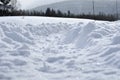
(57, 13)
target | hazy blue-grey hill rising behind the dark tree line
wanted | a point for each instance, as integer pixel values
(83, 6)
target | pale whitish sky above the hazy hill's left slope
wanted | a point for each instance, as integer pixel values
(26, 4)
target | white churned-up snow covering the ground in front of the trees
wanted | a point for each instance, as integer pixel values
(41, 48)
